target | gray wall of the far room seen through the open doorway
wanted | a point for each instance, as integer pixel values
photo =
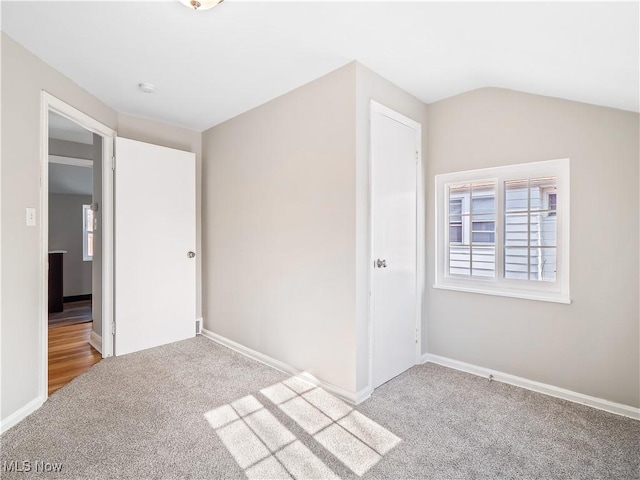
(65, 233)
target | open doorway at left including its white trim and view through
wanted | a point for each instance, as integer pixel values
(77, 245)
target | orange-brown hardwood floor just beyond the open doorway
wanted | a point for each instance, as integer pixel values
(70, 354)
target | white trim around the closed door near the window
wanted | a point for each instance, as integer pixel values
(378, 108)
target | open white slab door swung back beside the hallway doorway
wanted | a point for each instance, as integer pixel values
(155, 231)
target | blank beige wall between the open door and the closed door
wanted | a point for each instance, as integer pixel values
(279, 228)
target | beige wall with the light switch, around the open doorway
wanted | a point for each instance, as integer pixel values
(23, 78)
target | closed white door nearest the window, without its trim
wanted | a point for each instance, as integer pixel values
(395, 149)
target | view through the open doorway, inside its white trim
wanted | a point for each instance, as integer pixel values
(75, 260)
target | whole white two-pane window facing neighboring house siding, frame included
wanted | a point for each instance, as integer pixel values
(505, 231)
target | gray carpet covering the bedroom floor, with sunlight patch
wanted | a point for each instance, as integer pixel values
(143, 416)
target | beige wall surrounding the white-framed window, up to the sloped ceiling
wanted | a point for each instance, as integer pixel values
(590, 346)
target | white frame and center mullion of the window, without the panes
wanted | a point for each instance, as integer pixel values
(549, 291)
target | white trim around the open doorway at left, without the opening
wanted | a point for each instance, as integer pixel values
(49, 103)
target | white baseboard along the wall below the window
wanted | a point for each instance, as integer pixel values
(599, 403)
